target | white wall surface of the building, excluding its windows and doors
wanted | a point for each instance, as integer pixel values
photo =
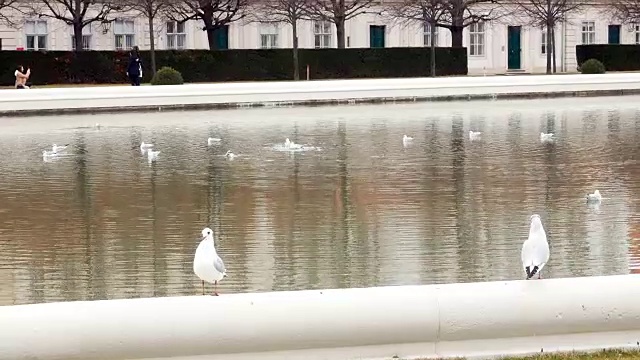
(245, 34)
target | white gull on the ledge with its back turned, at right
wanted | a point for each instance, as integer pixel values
(535, 251)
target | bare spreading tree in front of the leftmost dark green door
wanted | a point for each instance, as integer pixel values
(215, 14)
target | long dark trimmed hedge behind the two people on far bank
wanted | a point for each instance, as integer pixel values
(59, 67)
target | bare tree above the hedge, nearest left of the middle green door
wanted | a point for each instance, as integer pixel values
(338, 12)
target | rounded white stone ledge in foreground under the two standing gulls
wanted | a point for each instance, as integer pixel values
(476, 320)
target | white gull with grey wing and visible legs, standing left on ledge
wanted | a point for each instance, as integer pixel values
(207, 265)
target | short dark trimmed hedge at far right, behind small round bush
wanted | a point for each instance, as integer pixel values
(614, 57)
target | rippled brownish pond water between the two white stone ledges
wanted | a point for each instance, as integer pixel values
(362, 210)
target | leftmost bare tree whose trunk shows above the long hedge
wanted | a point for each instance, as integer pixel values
(74, 13)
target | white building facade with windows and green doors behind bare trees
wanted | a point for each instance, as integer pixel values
(495, 47)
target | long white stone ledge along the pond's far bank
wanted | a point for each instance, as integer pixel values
(287, 93)
